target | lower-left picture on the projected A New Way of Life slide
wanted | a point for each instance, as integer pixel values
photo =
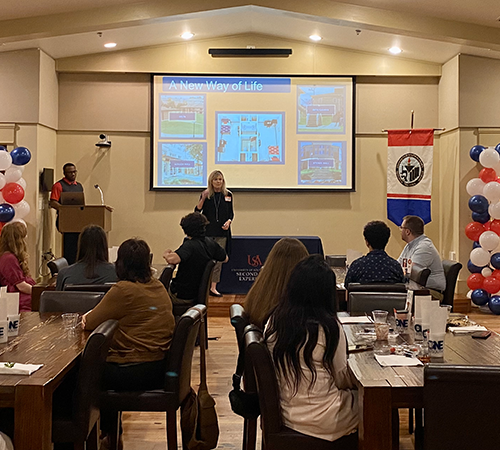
(183, 164)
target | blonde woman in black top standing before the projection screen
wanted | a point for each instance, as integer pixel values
(216, 203)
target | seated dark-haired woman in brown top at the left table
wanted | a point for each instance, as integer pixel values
(140, 303)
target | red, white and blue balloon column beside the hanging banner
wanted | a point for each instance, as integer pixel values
(484, 230)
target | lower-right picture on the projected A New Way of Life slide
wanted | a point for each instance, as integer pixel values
(321, 163)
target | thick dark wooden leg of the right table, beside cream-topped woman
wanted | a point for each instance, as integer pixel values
(376, 418)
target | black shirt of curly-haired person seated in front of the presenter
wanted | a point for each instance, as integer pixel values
(195, 254)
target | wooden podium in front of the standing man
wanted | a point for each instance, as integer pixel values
(73, 219)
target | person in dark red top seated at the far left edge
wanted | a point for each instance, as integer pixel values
(14, 270)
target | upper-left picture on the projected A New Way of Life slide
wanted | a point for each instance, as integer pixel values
(182, 116)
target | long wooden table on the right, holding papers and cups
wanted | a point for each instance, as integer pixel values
(382, 390)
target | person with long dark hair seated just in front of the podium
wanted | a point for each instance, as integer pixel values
(92, 266)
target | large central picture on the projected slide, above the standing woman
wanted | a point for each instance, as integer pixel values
(249, 138)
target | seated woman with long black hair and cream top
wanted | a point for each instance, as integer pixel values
(309, 351)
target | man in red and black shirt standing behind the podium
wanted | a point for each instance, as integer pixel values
(69, 185)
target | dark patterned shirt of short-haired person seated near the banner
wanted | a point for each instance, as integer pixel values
(376, 267)
